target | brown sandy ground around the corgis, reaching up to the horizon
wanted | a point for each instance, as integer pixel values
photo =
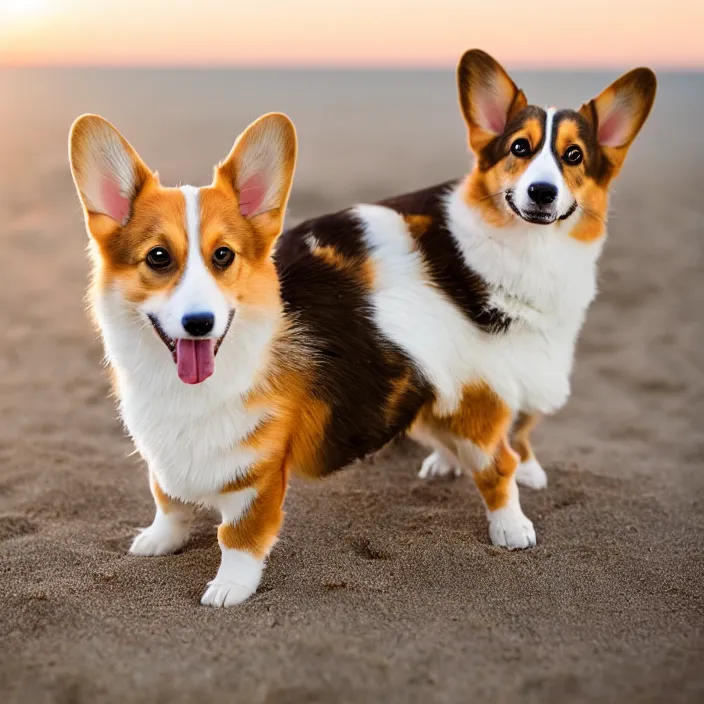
(383, 588)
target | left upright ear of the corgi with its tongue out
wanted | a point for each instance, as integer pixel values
(107, 172)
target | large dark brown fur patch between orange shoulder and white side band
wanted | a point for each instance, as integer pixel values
(361, 389)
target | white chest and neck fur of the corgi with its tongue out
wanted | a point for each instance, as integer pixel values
(190, 436)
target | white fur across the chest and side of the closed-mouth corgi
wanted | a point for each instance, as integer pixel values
(541, 277)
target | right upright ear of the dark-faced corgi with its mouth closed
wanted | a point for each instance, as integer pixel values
(618, 113)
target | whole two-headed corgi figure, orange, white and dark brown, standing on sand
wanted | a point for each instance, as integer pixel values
(240, 354)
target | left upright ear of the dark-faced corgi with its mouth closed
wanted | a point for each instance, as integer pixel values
(488, 97)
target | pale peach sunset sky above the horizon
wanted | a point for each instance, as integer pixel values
(332, 33)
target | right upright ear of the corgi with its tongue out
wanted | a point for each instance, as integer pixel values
(259, 170)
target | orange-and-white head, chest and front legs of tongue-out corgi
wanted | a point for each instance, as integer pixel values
(187, 297)
